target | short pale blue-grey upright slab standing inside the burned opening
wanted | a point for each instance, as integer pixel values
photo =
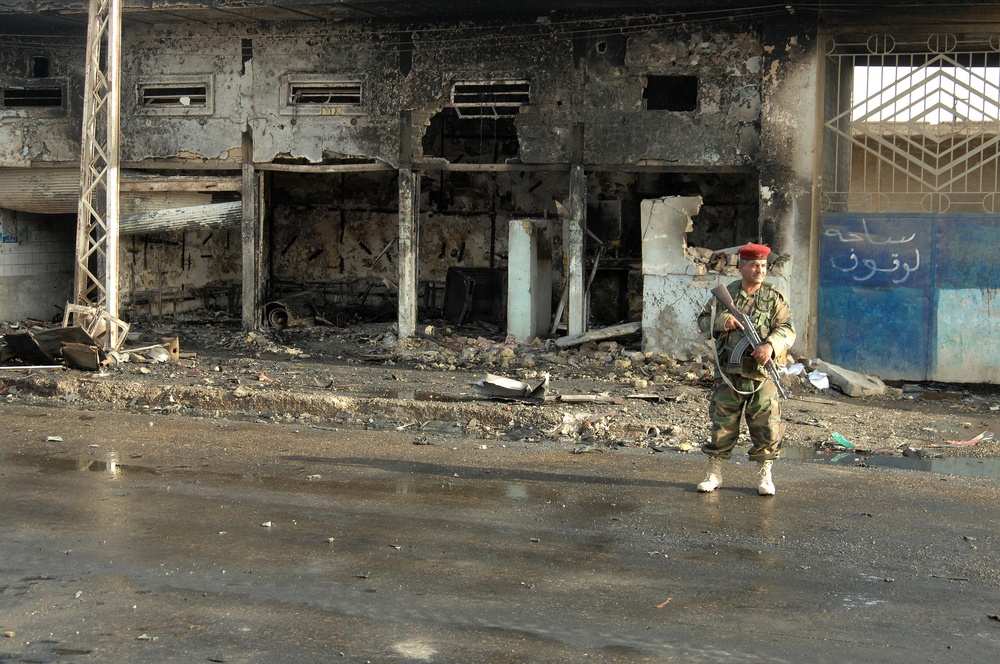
(529, 278)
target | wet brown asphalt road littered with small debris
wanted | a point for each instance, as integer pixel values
(169, 539)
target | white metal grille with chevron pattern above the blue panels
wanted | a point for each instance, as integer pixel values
(914, 126)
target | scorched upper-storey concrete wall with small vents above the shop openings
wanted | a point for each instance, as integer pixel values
(611, 85)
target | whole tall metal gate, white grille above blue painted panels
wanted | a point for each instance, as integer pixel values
(909, 237)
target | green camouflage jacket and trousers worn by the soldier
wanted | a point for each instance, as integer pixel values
(769, 310)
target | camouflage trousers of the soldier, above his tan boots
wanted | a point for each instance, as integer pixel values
(763, 415)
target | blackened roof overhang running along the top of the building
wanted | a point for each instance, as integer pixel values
(66, 17)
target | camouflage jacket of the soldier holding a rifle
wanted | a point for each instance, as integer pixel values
(770, 312)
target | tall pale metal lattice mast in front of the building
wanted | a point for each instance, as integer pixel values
(97, 223)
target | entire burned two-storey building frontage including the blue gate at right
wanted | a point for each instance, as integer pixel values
(531, 164)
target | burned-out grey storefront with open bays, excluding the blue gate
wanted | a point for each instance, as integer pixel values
(281, 166)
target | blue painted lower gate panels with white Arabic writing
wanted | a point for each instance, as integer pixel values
(911, 297)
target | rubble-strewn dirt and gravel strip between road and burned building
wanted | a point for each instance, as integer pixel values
(598, 395)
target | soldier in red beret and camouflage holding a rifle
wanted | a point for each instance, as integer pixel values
(746, 389)
